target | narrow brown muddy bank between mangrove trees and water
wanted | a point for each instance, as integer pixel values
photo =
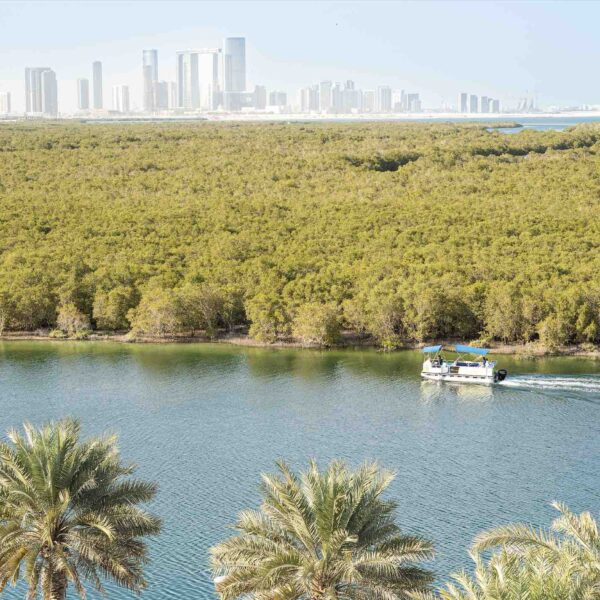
(350, 340)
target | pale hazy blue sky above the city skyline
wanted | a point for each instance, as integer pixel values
(506, 50)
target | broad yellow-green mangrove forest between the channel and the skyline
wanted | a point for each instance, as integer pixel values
(396, 231)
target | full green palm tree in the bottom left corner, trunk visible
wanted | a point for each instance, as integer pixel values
(69, 514)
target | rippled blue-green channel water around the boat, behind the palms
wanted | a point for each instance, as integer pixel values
(205, 420)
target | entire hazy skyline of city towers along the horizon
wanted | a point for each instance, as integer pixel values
(214, 79)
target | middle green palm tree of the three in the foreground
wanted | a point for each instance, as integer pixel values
(322, 535)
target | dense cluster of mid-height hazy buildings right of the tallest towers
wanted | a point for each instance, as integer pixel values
(335, 98)
